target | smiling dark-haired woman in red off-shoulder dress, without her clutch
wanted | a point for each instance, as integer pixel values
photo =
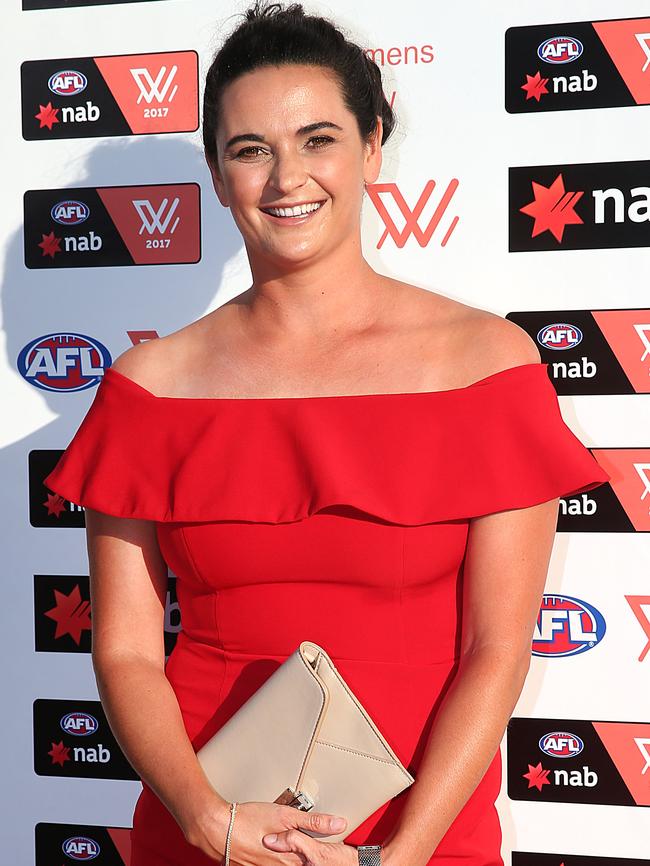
(332, 455)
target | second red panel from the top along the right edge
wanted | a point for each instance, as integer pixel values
(628, 333)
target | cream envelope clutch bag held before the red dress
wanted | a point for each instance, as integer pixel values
(303, 739)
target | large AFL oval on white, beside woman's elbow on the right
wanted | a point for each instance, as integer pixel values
(566, 626)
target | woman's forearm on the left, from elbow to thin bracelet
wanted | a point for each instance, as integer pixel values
(145, 718)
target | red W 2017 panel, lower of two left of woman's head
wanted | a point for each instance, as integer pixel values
(158, 224)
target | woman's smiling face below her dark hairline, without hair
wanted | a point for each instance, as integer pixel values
(286, 140)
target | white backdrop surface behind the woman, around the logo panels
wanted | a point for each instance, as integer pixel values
(452, 124)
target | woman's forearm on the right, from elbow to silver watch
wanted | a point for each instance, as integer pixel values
(463, 740)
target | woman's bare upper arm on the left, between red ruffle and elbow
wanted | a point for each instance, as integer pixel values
(128, 585)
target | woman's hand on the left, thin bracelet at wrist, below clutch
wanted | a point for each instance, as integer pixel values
(253, 820)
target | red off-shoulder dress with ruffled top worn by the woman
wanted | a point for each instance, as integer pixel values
(337, 519)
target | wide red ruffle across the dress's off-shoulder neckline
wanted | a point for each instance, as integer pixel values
(406, 458)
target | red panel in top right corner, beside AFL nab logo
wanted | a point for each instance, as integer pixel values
(628, 44)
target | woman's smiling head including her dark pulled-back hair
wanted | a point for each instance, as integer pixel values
(271, 169)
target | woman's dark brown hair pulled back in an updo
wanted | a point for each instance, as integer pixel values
(275, 35)
